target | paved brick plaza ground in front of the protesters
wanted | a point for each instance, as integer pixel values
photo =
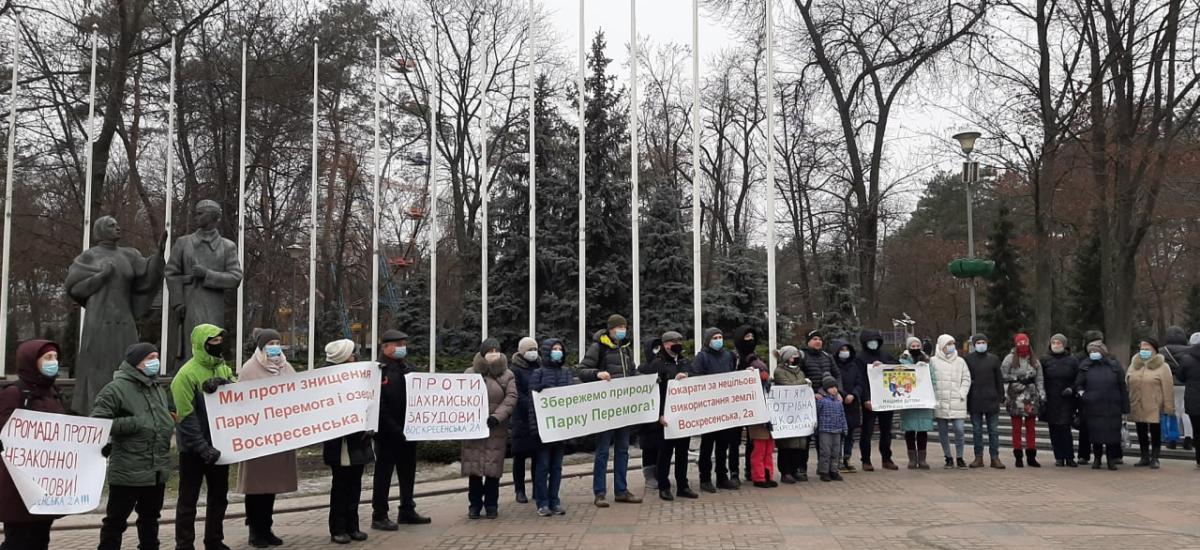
(1059, 509)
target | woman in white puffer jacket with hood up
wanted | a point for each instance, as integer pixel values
(952, 382)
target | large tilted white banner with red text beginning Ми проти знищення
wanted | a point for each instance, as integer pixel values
(262, 417)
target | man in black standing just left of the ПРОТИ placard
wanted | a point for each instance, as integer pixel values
(394, 453)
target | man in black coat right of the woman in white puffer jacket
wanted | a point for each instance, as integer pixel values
(985, 399)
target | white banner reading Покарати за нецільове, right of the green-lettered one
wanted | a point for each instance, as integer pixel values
(715, 403)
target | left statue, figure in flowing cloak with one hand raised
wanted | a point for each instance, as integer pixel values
(117, 286)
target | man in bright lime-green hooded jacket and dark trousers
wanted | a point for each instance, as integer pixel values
(205, 373)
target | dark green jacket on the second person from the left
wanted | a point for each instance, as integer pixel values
(142, 428)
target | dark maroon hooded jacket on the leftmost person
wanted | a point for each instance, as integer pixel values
(43, 397)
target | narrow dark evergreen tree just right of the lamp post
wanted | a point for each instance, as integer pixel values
(1007, 313)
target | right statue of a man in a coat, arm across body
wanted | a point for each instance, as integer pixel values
(203, 266)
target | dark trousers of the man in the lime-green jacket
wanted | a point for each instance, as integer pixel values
(193, 474)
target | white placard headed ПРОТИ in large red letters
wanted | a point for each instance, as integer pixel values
(443, 406)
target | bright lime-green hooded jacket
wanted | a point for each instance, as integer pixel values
(187, 390)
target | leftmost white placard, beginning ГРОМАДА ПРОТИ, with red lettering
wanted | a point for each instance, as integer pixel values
(56, 462)
